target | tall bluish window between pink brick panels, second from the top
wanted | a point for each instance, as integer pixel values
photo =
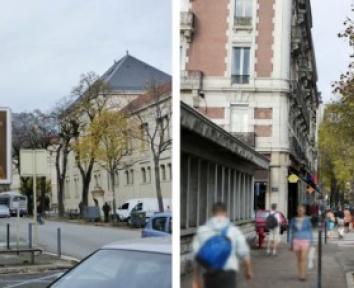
(240, 65)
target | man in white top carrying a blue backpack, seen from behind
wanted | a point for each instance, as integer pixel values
(219, 247)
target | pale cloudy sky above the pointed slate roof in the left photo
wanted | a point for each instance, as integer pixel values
(46, 45)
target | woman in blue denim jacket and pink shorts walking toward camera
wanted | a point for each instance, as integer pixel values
(301, 239)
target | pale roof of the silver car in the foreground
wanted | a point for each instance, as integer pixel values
(155, 245)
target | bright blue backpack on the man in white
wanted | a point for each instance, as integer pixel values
(215, 251)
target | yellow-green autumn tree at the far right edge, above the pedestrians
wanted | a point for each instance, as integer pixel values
(336, 135)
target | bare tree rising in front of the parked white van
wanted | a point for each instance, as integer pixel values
(152, 112)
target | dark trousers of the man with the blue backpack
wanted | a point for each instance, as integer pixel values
(220, 279)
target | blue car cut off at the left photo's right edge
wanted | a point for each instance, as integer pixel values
(159, 225)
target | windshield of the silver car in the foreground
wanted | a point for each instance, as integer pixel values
(120, 269)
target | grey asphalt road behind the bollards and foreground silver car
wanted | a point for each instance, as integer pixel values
(77, 240)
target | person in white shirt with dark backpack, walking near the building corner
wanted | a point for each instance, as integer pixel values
(273, 223)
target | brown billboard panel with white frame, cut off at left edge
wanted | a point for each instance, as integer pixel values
(5, 146)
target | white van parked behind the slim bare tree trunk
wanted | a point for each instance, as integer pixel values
(148, 205)
